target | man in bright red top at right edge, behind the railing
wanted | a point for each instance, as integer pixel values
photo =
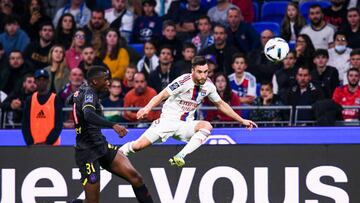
(349, 95)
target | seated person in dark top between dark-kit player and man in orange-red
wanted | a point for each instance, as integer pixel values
(115, 99)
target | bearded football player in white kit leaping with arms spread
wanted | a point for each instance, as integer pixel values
(177, 119)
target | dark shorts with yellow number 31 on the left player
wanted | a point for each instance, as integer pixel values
(90, 168)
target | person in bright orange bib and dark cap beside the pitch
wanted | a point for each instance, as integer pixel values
(42, 120)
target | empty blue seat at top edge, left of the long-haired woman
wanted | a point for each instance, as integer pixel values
(273, 11)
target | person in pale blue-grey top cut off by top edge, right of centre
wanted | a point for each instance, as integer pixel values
(218, 13)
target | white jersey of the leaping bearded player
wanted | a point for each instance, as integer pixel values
(186, 96)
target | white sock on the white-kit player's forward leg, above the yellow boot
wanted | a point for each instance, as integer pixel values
(195, 142)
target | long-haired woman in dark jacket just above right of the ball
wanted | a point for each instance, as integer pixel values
(292, 23)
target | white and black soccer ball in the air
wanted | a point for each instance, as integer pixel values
(276, 49)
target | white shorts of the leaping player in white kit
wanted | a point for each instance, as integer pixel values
(161, 129)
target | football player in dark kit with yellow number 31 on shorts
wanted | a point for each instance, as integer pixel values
(92, 150)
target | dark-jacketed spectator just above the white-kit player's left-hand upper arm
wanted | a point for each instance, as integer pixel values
(165, 72)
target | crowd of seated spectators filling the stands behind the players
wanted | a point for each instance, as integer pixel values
(67, 37)
